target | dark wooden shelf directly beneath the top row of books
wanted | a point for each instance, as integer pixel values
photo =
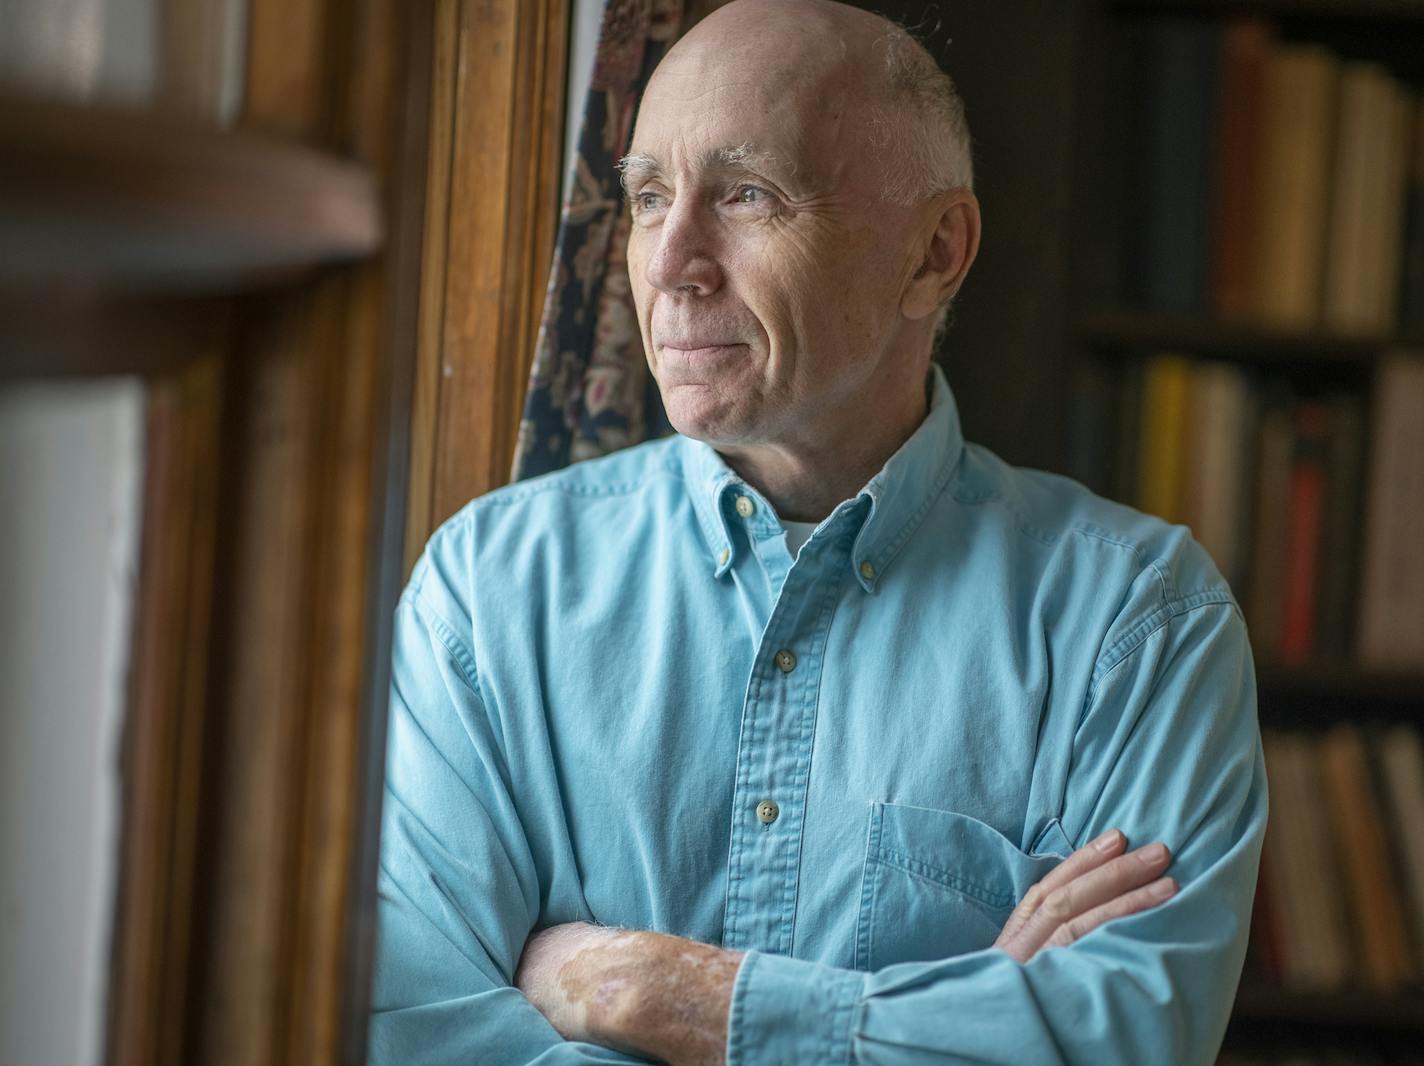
(1137, 332)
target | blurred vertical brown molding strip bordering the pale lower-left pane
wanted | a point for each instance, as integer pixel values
(164, 729)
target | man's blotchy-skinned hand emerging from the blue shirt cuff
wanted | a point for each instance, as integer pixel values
(640, 993)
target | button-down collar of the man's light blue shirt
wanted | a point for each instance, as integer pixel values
(889, 509)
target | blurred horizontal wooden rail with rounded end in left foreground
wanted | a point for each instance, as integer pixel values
(109, 200)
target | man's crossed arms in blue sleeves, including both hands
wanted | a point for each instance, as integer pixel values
(1170, 749)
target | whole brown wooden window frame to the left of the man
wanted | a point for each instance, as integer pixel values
(318, 402)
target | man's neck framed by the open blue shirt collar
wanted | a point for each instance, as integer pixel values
(805, 482)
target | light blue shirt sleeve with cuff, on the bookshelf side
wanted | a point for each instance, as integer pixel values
(1168, 749)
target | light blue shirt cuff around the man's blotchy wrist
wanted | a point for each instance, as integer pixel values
(788, 1013)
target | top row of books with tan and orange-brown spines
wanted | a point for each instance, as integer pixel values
(1278, 183)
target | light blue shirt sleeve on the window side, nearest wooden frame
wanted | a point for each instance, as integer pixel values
(458, 890)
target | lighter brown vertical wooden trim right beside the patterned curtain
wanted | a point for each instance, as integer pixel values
(492, 213)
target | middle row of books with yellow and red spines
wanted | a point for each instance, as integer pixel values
(1311, 506)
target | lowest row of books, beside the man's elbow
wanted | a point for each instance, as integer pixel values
(1341, 899)
